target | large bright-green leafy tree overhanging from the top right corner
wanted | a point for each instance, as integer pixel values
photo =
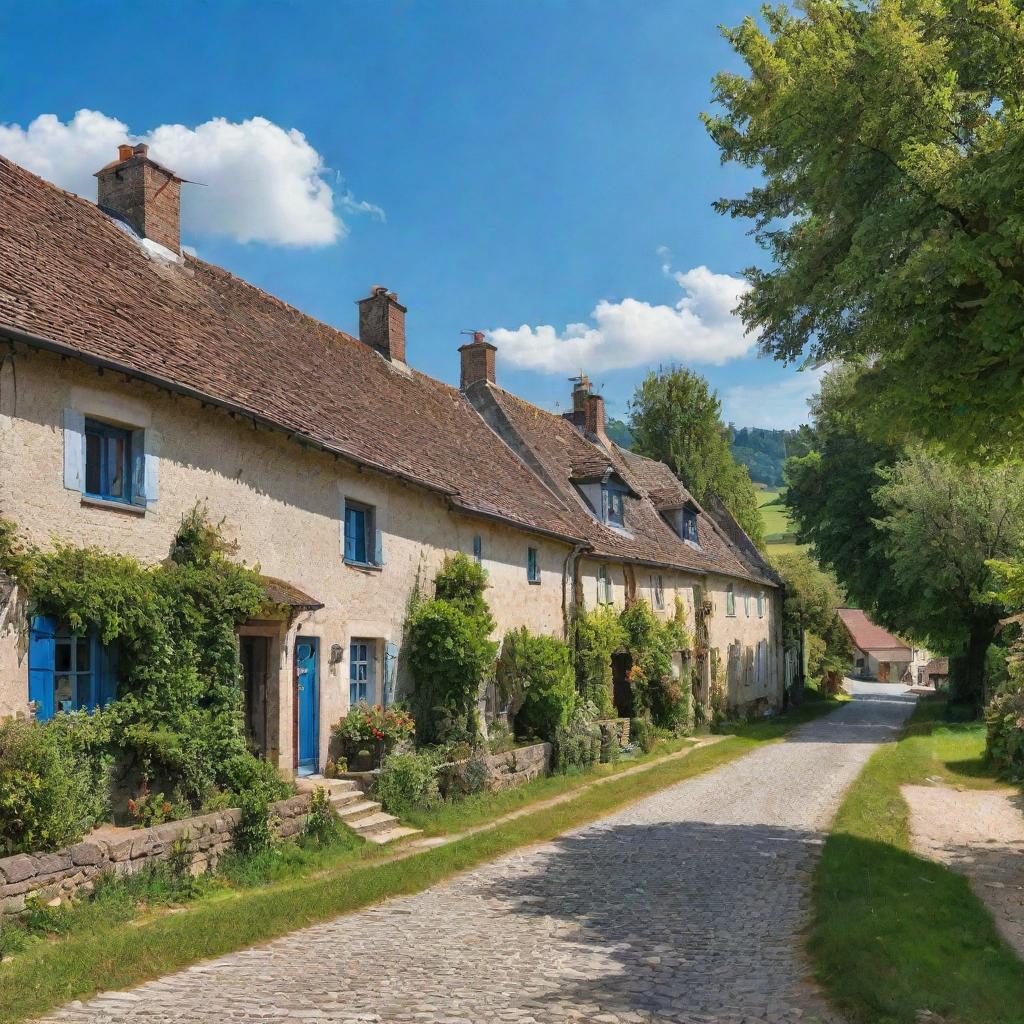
(890, 139)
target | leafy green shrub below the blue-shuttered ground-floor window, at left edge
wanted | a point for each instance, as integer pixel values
(55, 781)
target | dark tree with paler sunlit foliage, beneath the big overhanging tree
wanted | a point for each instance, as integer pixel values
(908, 534)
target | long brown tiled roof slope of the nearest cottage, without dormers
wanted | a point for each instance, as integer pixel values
(71, 276)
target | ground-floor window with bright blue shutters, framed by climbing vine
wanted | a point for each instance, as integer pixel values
(68, 672)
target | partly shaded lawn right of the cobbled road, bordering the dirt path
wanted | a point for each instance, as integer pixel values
(895, 934)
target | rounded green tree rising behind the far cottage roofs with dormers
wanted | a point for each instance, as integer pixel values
(677, 419)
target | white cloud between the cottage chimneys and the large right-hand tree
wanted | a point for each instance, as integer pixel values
(701, 328)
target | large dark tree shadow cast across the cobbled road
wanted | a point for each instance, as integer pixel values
(679, 920)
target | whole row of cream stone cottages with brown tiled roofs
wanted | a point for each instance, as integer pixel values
(137, 380)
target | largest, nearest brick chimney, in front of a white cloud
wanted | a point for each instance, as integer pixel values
(145, 195)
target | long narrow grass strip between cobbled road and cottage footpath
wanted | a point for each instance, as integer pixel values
(121, 956)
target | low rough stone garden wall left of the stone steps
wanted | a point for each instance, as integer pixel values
(61, 875)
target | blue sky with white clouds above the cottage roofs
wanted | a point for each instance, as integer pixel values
(511, 167)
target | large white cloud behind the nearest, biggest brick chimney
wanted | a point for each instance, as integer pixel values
(261, 183)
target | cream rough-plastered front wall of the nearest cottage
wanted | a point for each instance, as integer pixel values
(282, 505)
